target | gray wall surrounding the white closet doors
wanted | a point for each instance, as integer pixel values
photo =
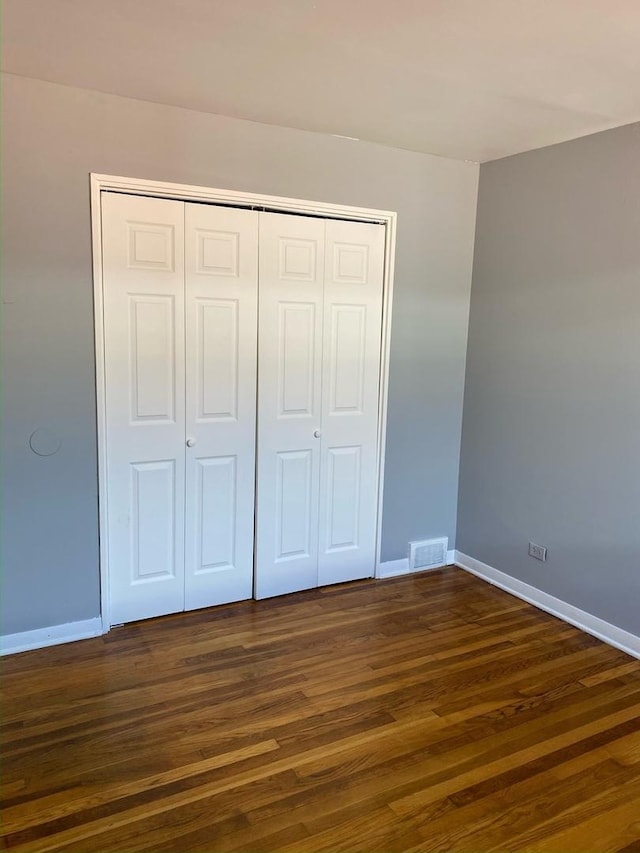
(53, 136)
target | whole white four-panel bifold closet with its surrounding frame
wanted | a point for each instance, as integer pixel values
(242, 347)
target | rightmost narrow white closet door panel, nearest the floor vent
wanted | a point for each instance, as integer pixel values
(354, 263)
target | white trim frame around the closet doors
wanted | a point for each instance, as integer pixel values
(184, 192)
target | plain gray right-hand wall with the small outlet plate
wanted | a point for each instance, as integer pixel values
(551, 432)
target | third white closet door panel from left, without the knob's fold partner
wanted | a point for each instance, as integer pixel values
(289, 402)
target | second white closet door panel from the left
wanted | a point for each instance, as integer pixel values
(221, 332)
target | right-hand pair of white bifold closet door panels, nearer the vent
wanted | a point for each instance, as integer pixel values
(320, 317)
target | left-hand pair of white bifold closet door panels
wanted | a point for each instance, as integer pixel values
(180, 297)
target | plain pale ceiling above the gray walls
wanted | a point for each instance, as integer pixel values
(469, 79)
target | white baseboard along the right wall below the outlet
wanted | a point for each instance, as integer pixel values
(614, 636)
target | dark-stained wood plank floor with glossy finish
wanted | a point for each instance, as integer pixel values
(427, 713)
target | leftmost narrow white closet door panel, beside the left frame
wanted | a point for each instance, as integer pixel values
(143, 243)
